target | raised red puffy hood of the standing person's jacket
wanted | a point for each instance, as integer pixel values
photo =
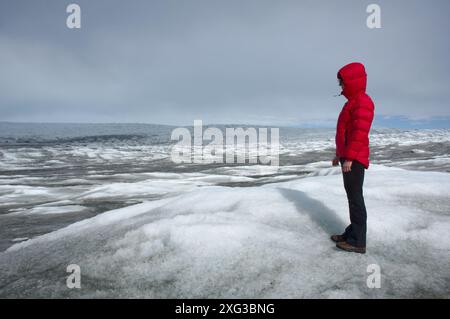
(355, 79)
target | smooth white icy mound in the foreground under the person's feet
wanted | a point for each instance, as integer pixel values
(267, 241)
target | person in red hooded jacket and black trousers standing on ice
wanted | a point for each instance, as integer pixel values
(352, 151)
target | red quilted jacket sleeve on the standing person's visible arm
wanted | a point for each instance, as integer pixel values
(361, 116)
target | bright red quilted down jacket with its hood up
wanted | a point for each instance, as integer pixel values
(355, 119)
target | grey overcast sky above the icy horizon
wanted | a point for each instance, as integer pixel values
(222, 61)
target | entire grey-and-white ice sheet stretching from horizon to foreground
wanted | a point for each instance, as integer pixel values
(216, 230)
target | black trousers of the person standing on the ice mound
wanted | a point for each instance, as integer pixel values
(355, 233)
